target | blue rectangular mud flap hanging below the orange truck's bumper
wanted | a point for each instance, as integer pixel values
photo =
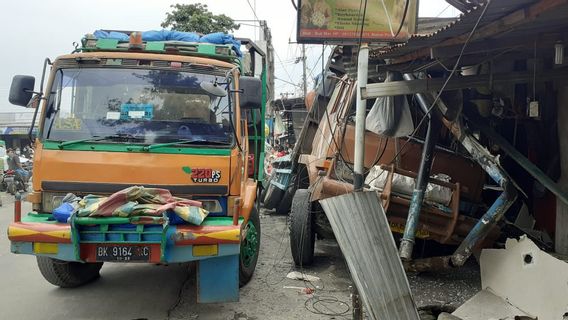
(218, 279)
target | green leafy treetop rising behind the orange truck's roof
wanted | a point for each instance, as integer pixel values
(197, 18)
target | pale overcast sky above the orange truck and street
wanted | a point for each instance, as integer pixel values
(36, 29)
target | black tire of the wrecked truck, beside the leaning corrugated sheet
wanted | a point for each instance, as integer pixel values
(302, 235)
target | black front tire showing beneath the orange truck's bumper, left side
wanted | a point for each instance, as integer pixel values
(67, 274)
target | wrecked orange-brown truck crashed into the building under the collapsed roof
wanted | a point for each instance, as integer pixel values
(432, 156)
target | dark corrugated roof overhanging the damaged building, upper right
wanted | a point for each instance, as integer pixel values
(503, 24)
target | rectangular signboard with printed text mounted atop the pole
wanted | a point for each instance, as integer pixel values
(340, 21)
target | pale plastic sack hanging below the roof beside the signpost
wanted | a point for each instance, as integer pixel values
(390, 116)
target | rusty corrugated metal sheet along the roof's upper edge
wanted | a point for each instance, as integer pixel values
(462, 25)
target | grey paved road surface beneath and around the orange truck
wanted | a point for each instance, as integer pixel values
(128, 291)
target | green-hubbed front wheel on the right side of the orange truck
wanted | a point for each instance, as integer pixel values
(250, 247)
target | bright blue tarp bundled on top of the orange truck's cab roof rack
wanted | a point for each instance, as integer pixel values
(171, 35)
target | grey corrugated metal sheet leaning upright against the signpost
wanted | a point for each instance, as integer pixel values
(362, 231)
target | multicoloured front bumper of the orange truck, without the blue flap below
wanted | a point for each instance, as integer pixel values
(36, 234)
